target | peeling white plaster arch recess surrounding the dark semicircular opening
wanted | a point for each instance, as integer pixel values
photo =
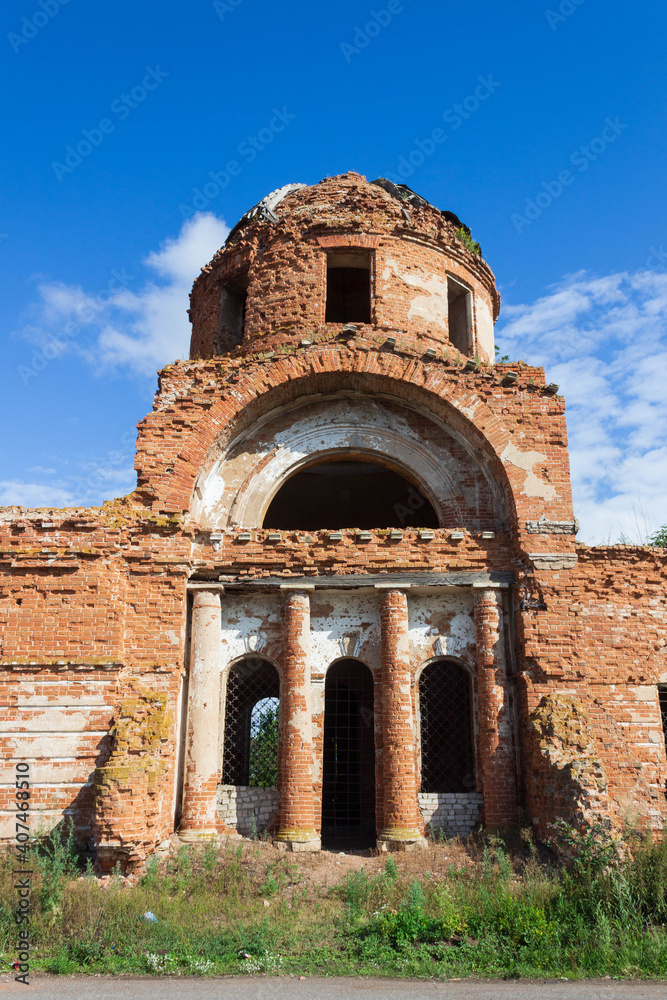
(236, 486)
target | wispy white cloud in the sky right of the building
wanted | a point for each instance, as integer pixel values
(604, 341)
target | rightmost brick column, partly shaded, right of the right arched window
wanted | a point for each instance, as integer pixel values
(495, 721)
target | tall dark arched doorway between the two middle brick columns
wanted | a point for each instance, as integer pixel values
(348, 773)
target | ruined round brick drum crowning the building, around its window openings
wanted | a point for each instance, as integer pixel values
(283, 265)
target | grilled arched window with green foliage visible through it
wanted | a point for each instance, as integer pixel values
(250, 747)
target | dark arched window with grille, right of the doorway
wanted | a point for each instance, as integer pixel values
(447, 744)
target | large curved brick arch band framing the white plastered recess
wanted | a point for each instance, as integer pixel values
(429, 388)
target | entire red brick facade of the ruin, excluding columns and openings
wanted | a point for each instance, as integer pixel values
(93, 602)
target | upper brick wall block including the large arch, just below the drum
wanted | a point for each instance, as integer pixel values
(166, 482)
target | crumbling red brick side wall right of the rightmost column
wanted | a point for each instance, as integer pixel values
(602, 639)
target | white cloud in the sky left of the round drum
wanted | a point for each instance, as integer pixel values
(121, 327)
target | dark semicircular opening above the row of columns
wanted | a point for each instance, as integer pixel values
(348, 494)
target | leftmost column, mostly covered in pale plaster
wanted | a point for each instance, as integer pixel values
(202, 755)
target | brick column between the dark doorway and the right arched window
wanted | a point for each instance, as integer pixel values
(403, 823)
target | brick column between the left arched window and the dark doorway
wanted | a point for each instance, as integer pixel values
(296, 829)
